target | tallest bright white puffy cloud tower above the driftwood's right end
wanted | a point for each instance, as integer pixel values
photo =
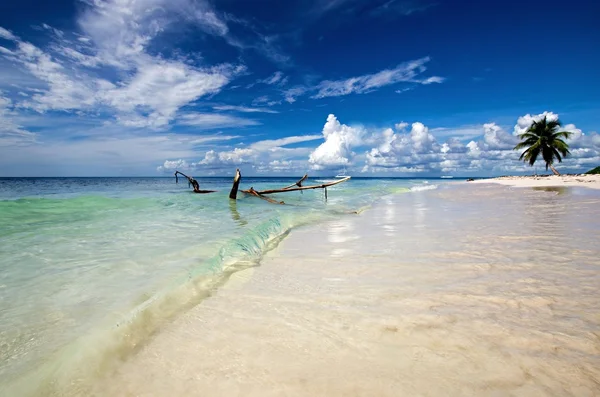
(337, 148)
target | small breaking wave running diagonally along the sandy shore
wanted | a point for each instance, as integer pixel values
(73, 369)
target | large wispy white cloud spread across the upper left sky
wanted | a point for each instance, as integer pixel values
(118, 33)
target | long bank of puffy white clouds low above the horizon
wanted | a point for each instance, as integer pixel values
(406, 149)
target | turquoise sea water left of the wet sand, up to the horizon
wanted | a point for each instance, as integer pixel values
(91, 267)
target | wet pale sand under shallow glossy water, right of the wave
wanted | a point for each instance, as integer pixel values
(469, 290)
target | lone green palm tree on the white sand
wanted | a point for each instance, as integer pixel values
(543, 137)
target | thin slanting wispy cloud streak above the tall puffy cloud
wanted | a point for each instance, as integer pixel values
(405, 72)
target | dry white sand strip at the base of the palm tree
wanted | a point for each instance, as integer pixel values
(589, 181)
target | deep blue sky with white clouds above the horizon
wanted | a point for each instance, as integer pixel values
(413, 88)
